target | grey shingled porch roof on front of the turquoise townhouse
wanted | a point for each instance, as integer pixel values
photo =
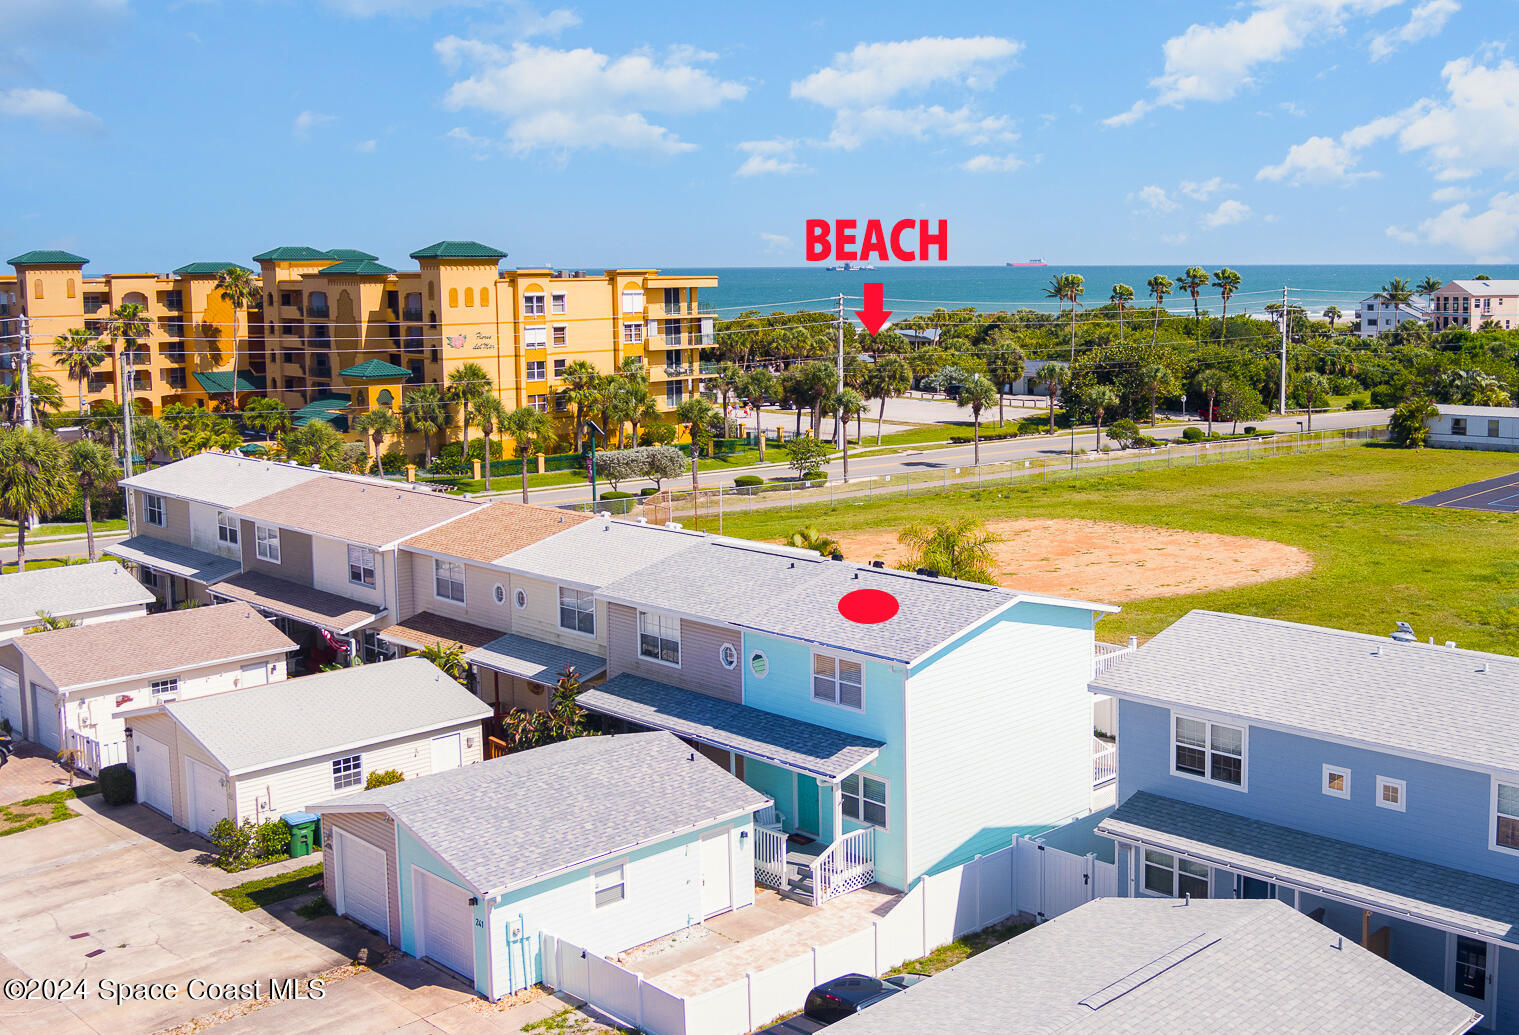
(791, 744)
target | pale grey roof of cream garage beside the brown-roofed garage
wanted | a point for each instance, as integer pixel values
(262, 727)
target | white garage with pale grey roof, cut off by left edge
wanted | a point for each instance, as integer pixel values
(83, 593)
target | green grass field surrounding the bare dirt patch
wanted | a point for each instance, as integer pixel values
(1453, 574)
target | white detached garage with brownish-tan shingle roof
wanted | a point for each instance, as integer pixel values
(81, 680)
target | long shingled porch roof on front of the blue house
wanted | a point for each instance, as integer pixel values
(1391, 884)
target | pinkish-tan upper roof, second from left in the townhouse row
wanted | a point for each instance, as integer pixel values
(364, 511)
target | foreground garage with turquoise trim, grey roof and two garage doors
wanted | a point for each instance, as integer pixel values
(607, 841)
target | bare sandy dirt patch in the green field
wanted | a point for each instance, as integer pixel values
(1110, 562)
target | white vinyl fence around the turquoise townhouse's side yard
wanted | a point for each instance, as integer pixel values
(1026, 878)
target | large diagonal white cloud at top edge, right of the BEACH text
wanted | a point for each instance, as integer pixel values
(1214, 63)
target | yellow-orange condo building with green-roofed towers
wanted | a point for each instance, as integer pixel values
(339, 334)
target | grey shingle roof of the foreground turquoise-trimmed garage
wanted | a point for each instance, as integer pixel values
(520, 818)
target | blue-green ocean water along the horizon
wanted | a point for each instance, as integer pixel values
(921, 290)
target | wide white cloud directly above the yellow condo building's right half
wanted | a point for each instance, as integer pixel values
(584, 100)
